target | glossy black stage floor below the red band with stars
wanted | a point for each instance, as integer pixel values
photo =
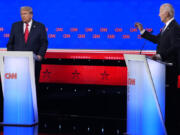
(77, 110)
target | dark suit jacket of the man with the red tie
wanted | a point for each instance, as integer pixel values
(37, 39)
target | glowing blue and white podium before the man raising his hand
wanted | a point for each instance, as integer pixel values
(145, 96)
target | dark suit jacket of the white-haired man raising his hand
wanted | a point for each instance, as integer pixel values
(168, 43)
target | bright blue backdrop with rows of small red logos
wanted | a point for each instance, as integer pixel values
(89, 24)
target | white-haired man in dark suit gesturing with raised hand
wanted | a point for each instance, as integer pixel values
(168, 50)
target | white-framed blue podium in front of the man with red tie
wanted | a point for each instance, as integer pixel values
(19, 90)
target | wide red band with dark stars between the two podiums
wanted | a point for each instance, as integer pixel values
(75, 74)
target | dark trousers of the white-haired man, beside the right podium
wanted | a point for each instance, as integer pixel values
(172, 100)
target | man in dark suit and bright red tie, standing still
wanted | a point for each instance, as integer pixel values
(29, 35)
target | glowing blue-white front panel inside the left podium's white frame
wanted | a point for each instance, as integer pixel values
(18, 107)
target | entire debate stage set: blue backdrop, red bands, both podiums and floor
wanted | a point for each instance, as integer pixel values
(97, 77)
